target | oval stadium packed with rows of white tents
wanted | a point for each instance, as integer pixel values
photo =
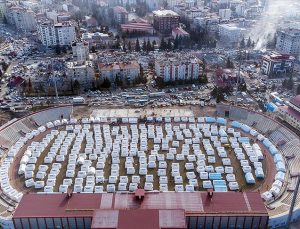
(181, 168)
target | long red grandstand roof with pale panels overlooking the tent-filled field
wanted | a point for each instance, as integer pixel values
(58, 205)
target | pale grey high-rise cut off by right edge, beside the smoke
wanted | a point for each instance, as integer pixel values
(288, 41)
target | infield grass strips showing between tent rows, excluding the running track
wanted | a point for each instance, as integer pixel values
(171, 185)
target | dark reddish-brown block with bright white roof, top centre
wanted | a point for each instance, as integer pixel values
(165, 20)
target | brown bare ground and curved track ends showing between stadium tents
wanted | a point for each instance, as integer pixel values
(262, 185)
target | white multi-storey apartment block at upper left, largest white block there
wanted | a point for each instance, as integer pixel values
(52, 34)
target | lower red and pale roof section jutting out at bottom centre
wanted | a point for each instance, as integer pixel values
(136, 219)
